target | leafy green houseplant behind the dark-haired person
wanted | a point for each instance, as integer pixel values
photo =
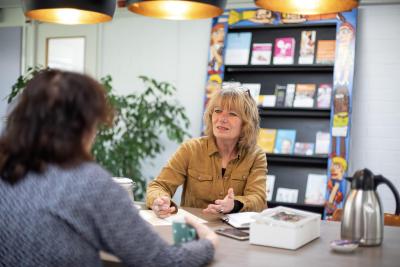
(140, 119)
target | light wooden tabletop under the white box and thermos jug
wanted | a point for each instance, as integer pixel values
(231, 252)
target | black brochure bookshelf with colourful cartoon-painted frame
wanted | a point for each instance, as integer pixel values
(293, 170)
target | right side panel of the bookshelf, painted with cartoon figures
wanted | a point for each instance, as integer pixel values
(341, 110)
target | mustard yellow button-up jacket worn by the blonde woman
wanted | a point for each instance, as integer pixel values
(197, 166)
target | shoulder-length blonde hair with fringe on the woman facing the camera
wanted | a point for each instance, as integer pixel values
(238, 99)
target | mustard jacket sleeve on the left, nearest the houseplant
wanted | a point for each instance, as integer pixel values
(171, 177)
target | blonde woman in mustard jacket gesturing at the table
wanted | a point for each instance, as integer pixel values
(222, 172)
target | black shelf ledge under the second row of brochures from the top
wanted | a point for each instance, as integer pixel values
(294, 112)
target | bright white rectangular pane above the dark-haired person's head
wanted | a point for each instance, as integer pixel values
(66, 53)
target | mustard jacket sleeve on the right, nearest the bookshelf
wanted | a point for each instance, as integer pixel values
(254, 197)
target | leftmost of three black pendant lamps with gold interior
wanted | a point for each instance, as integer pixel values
(69, 11)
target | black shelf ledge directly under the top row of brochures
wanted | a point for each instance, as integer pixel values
(280, 68)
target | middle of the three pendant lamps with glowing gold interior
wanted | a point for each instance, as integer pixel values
(177, 9)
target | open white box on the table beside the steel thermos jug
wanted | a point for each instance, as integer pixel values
(284, 228)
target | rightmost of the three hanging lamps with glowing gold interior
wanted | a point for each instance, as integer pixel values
(308, 7)
